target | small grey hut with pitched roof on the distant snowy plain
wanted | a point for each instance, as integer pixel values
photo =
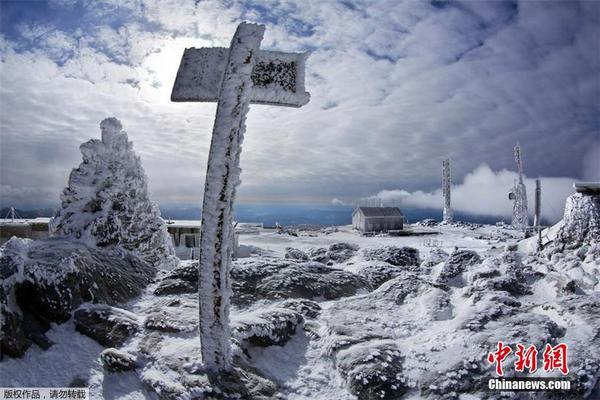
(377, 219)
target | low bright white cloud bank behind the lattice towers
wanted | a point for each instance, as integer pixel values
(485, 192)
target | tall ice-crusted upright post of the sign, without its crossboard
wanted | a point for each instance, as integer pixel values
(222, 177)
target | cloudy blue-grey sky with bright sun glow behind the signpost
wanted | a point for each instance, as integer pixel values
(396, 87)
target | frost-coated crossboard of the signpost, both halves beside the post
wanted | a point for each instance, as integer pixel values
(277, 78)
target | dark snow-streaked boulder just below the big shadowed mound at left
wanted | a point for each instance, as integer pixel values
(109, 326)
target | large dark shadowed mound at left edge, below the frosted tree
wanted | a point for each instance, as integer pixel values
(44, 281)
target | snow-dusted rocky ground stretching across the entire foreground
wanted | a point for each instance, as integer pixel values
(321, 316)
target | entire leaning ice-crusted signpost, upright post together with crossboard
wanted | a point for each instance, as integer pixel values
(234, 77)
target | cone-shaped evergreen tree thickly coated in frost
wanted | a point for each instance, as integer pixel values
(106, 202)
